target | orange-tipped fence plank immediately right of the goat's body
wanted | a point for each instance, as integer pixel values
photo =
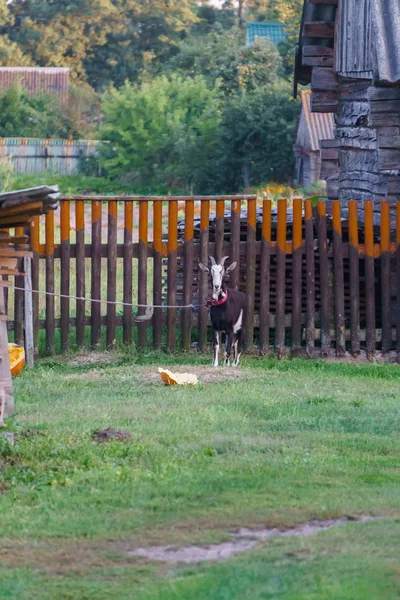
(251, 268)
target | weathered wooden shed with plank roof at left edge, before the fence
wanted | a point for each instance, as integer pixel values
(16, 211)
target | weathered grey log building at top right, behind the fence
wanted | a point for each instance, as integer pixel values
(349, 51)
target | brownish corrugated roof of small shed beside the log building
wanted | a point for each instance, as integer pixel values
(313, 127)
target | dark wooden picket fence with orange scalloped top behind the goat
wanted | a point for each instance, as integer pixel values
(320, 279)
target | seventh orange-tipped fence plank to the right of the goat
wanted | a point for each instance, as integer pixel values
(338, 278)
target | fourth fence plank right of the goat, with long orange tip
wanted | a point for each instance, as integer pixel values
(297, 254)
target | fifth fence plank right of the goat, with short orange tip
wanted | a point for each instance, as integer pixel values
(310, 278)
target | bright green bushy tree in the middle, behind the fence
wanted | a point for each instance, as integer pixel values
(162, 131)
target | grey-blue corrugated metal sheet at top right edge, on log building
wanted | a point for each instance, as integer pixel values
(386, 40)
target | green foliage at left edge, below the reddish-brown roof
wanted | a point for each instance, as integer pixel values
(38, 116)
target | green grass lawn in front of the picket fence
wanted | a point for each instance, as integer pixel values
(273, 444)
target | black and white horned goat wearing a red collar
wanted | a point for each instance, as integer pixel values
(228, 308)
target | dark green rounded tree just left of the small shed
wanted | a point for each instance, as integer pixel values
(256, 138)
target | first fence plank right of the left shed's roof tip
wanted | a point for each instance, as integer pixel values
(65, 228)
